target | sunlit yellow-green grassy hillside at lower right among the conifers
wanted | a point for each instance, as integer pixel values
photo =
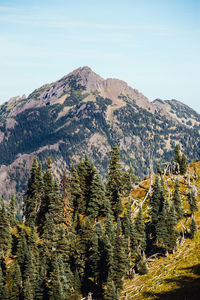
(178, 275)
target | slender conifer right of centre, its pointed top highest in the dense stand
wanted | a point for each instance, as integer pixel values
(114, 182)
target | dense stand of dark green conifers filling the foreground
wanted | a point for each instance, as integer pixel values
(84, 236)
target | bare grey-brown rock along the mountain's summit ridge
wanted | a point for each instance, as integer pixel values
(49, 94)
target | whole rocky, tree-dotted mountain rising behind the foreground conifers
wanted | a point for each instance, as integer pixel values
(83, 113)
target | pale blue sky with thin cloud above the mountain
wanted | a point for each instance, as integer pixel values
(153, 45)
